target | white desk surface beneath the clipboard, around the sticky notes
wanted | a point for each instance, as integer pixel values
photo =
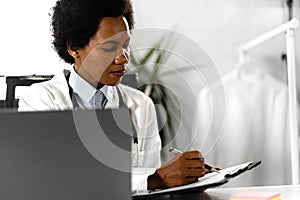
(288, 192)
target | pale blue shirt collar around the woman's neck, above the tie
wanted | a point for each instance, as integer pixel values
(85, 90)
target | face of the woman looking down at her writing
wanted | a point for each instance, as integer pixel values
(105, 58)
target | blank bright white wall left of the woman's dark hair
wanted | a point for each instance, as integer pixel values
(26, 39)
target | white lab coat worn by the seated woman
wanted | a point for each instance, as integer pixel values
(54, 95)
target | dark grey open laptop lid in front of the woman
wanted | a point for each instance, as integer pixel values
(79, 154)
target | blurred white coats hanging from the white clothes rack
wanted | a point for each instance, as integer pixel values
(251, 123)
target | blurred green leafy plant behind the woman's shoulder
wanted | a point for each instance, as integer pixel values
(148, 64)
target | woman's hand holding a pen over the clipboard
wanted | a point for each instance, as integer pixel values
(185, 168)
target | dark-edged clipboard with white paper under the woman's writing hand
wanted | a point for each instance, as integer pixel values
(211, 179)
